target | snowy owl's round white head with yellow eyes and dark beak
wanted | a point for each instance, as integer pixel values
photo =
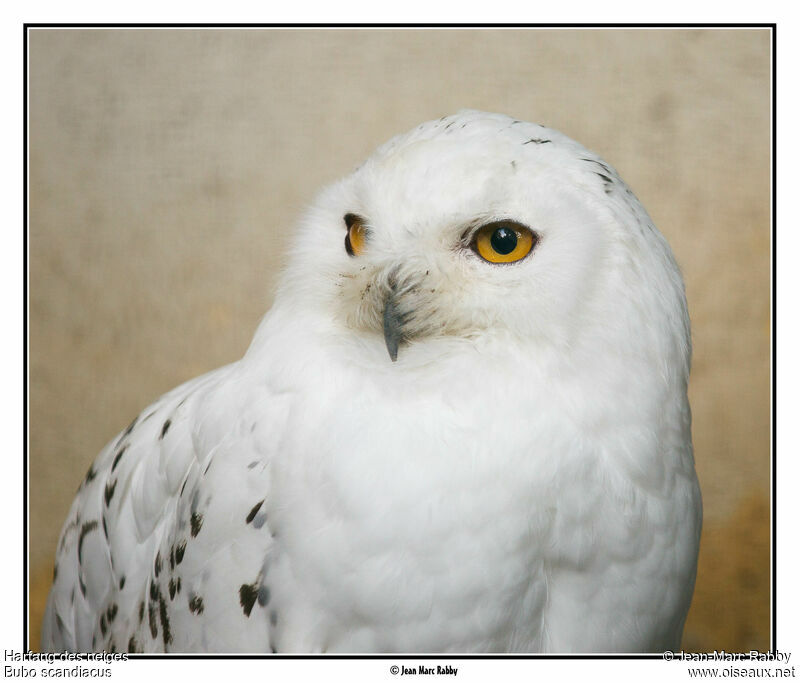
(480, 231)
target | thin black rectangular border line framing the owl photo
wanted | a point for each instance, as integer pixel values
(25, 370)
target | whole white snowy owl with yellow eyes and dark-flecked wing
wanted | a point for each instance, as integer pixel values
(462, 427)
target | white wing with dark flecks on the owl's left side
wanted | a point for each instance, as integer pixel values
(166, 542)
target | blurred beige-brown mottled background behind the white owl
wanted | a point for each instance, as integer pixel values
(167, 168)
